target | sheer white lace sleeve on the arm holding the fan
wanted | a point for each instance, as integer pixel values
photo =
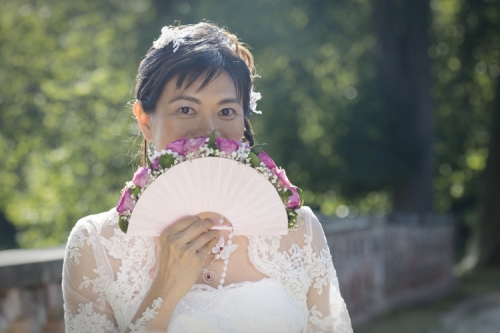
(87, 276)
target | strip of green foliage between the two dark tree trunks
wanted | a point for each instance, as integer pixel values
(466, 69)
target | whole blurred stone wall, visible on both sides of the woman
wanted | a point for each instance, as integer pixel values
(381, 263)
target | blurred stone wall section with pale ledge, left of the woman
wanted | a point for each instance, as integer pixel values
(30, 291)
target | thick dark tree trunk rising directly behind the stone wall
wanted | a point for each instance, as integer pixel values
(405, 85)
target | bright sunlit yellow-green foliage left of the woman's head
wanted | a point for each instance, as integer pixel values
(66, 75)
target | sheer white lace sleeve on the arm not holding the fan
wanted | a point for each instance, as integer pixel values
(327, 309)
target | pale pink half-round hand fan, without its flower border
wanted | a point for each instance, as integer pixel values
(210, 186)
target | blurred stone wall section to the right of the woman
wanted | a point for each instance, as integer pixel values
(384, 263)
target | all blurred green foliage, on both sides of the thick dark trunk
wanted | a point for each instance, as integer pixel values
(67, 74)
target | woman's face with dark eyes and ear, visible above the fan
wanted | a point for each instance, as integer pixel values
(189, 113)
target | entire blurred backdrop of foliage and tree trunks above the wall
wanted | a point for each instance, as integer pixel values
(374, 108)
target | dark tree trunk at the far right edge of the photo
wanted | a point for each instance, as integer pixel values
(480, 35)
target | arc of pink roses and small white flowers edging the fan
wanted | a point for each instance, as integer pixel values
(184, 150)
